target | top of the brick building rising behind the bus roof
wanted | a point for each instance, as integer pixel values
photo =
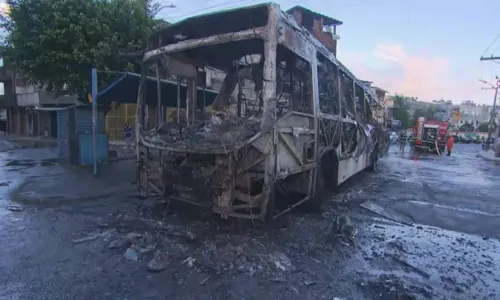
(320, 26)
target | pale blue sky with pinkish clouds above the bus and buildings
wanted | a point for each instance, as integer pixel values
(428, 49)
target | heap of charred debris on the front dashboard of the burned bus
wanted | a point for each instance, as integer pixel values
(217, 131)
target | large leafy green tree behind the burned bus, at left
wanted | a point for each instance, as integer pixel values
(55, 43)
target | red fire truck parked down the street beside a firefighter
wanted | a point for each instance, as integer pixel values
(430, 135)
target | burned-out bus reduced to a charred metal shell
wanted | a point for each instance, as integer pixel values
(288, 118)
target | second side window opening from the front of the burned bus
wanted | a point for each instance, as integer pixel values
(328, 86)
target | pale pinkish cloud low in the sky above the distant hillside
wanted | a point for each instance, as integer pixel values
(424, 76)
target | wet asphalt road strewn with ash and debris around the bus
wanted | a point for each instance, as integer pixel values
(443, 244)
